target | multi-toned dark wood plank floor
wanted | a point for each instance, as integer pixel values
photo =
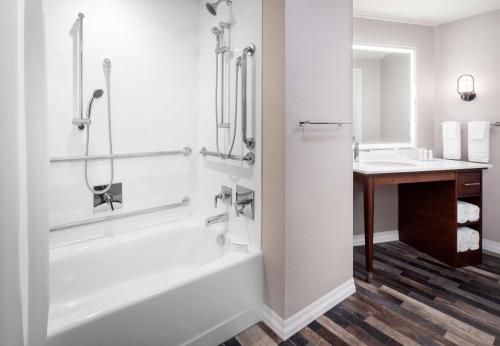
(413, 300)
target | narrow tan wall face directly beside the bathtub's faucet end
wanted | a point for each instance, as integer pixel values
(273, 157)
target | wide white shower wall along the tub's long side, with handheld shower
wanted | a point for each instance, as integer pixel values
(153, 46)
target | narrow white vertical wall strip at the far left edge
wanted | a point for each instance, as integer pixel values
(11, 311)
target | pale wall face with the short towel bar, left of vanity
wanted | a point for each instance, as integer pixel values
(318, 161)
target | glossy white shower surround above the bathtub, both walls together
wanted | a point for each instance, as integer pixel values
(163, 59)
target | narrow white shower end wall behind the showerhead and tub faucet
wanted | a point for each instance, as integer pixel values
(245, 18)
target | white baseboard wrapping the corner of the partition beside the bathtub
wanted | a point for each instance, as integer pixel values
(287, 328)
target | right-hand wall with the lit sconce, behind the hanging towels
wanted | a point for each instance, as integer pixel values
(471, 46)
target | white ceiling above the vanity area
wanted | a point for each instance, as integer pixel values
(424, 12)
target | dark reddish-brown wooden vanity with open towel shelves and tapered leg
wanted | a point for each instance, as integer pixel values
(427, 211)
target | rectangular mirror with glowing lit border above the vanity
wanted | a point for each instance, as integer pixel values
(384, 97)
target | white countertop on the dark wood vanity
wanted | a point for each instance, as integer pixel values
(382, 166)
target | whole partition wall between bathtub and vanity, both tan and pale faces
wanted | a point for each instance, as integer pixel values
(307, 174)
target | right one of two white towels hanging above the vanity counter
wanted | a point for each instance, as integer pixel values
(479, 141)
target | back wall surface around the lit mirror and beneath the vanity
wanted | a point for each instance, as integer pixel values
(378, 32)
